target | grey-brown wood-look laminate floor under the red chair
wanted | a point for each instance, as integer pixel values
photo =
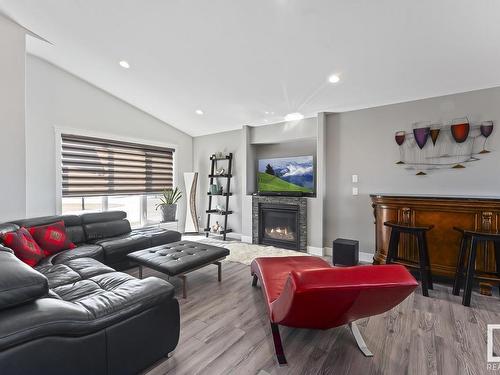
(225, 330)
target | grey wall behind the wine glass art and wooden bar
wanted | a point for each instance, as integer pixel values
(362, 142)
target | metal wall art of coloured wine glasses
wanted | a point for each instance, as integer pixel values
(433, 146)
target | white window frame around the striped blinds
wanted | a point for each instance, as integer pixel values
(58, 131)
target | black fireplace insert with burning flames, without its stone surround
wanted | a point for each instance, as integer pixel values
(279, 225)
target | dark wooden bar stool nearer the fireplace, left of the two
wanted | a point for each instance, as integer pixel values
(423, 264)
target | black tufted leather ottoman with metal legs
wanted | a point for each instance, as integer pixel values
(179, 258)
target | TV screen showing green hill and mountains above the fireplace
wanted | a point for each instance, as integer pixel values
(286, 174)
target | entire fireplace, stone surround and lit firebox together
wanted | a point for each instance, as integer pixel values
(280, 221)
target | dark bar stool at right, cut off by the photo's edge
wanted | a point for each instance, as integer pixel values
(474, 237)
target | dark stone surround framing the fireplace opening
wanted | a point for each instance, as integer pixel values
(300, 202)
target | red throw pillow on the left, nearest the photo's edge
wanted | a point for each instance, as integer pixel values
(24, 246)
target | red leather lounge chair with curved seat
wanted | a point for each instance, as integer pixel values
(306, 292)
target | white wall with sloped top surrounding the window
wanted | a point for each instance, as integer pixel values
(58, 99)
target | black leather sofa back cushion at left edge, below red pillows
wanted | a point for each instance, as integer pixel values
(19, 283)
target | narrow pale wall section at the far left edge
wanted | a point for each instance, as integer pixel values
(12, 121)
